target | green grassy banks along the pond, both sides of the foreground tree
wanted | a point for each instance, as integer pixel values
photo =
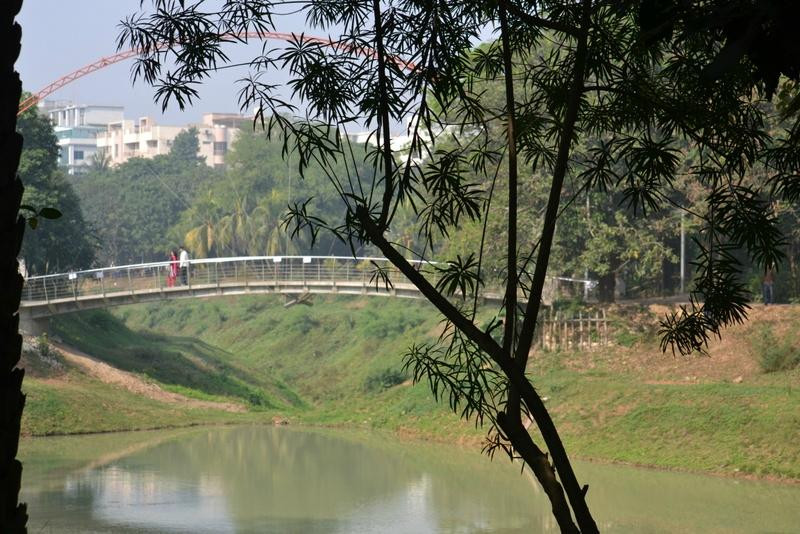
(339, 362)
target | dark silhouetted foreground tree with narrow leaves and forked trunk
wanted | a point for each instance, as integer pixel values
(640, 77)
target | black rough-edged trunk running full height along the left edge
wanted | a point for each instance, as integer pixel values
(13, 516)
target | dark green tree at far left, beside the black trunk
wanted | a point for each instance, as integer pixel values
(55, 245)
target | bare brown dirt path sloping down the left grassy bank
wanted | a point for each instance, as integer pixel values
(116, 377)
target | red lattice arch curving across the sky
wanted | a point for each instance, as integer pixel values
(122, 56)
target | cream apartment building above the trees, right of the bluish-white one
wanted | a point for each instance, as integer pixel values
(125, 139)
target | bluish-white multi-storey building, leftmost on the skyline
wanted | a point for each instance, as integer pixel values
(76, 127)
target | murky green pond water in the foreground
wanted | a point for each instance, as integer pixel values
(288, 480)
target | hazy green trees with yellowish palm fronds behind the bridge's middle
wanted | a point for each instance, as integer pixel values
(242, 213)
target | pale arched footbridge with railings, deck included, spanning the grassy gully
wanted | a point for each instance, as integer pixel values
(295, 276)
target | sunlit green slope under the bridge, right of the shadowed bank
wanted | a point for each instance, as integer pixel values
(333, 354)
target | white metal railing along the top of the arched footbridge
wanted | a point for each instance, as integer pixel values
(239, 271)
